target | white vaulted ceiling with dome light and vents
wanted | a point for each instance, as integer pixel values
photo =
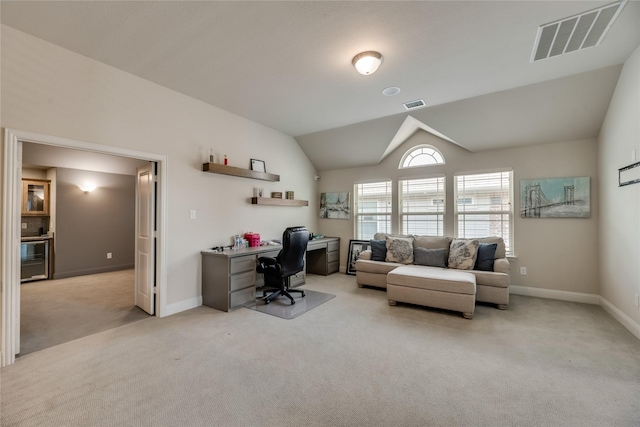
(287, 65)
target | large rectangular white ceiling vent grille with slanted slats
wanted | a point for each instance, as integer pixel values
(575, 32)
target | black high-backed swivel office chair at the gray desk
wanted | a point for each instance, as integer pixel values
(289, 261)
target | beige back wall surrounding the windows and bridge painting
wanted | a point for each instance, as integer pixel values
(559, 254)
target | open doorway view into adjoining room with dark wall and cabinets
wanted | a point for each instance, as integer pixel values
(89, 232)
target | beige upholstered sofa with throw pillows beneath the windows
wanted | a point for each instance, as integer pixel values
(492, 281)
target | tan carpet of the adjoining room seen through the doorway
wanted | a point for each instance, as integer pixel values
(57, 311)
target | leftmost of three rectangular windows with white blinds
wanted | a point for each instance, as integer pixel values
(372, 205)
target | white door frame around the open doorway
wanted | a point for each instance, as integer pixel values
(10, 249)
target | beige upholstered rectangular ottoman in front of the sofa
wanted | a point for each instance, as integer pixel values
(433, 287)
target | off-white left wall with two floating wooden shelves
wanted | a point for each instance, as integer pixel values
(53, 91)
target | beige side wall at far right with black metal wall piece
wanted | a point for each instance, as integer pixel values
(620, 206)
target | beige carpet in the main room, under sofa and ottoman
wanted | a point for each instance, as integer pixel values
(353, 361)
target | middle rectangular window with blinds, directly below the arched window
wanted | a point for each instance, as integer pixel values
(422, 206)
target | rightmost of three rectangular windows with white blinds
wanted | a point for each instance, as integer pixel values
(484, 206)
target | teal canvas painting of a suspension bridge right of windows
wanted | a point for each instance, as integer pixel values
(555, 198)
